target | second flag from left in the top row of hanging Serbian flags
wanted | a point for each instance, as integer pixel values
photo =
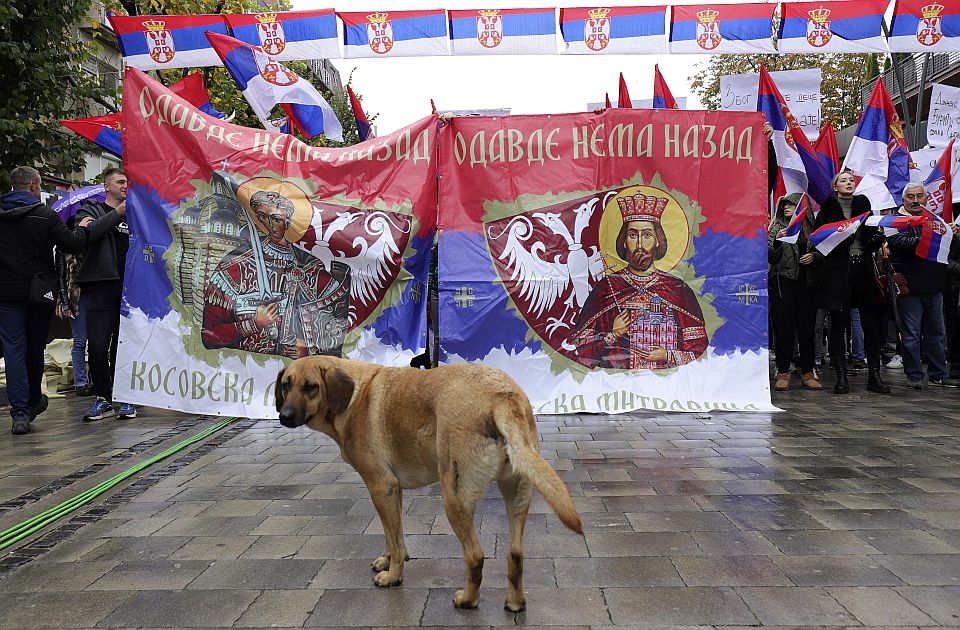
(289, 35)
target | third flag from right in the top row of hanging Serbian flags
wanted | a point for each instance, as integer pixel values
(722, 28)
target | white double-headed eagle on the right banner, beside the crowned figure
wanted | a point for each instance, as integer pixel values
(544, 277)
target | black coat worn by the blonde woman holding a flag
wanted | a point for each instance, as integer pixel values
(834, 291)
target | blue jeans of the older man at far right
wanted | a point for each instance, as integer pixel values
(921, 317)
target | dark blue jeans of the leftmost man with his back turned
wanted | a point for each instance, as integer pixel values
(23, 332)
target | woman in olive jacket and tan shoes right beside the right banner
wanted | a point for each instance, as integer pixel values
(791, 283)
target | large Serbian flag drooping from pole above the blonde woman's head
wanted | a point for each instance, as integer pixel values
(878, 153)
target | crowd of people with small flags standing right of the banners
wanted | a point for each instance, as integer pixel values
(870, 293)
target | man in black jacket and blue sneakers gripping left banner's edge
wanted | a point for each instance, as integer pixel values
(101, 285)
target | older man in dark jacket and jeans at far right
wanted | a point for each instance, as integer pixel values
(921, 312)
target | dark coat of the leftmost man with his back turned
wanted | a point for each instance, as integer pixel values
(28, 232)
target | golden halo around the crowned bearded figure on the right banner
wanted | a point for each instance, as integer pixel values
(673, 221)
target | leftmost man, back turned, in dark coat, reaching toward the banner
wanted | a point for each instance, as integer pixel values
(28, 231)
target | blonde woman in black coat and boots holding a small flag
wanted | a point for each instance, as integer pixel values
(847, 279)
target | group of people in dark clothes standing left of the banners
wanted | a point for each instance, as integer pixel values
(84, 281)
